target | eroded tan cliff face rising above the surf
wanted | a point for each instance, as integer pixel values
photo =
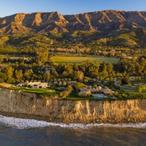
(72, 111)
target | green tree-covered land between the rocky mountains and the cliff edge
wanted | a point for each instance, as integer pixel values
(30, 57)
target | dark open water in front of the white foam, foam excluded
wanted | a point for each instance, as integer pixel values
(57, 136)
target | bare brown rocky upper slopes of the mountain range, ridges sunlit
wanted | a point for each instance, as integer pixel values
(99, 21)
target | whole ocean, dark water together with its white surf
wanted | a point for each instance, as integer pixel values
(29, 132)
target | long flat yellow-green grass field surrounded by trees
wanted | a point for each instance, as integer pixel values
(81, 59)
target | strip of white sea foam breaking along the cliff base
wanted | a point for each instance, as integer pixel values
(20, 123)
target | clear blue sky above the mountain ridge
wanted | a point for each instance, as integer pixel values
(9, 7)
